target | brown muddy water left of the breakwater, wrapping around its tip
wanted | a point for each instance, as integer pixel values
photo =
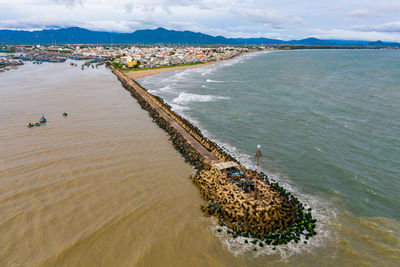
(104, 187)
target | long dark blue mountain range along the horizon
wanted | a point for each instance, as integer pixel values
(77, 35)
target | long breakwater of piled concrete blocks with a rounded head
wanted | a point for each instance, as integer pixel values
(244, 200)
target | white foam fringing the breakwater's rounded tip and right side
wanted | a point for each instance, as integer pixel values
(322, 210)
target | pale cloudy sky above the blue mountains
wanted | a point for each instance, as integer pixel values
(283, 19)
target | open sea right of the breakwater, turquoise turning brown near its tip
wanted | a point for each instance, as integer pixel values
(328, 122)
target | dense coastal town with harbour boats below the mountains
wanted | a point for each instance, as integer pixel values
(122, 57)
